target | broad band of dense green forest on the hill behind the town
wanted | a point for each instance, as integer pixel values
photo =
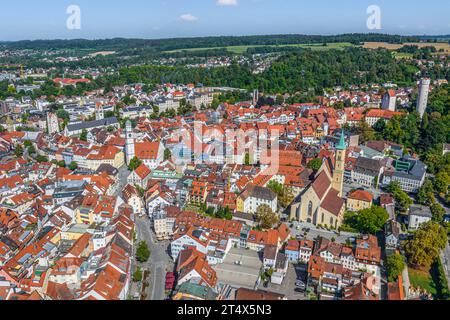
(295, 71)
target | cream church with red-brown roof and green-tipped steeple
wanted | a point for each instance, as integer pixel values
(321, 203)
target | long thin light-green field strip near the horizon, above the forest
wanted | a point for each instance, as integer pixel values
(242, 49)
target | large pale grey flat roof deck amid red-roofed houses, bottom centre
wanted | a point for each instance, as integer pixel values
(242, 275)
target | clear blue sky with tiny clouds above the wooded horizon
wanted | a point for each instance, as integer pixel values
(46, 19)
